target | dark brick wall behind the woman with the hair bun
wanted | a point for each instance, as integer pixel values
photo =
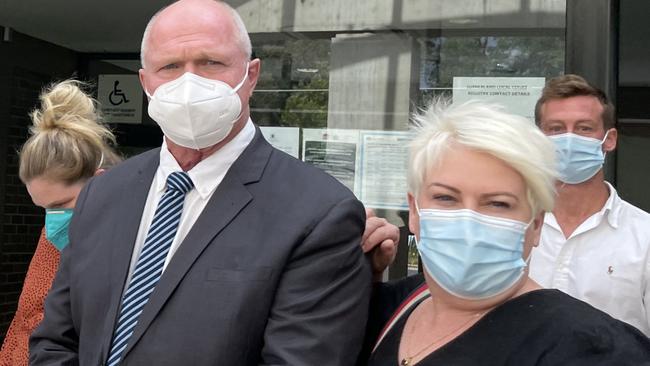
(26, 66)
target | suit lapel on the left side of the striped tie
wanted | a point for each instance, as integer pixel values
(131, 205)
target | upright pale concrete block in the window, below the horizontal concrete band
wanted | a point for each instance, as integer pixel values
(370, 77)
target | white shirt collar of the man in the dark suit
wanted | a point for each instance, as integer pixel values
(217, 164)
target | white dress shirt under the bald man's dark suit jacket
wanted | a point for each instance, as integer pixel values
(206, 176)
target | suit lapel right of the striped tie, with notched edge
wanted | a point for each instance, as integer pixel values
(225, 204)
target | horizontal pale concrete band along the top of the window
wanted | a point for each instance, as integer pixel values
(263, 16)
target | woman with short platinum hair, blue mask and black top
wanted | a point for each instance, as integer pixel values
(480, 180)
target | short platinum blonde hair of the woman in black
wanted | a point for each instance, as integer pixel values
(486, 128)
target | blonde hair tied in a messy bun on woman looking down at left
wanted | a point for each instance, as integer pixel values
(67, 143)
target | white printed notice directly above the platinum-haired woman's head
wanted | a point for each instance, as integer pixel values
(518, 95)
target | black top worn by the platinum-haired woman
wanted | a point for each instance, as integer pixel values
(542, 327)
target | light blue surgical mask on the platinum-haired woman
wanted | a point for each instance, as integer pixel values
(471, 255)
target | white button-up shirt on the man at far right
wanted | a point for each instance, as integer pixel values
(605, 262)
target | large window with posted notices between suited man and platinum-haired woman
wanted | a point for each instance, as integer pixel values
(339, 79)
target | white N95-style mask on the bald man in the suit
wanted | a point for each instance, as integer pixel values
(196, 112)
